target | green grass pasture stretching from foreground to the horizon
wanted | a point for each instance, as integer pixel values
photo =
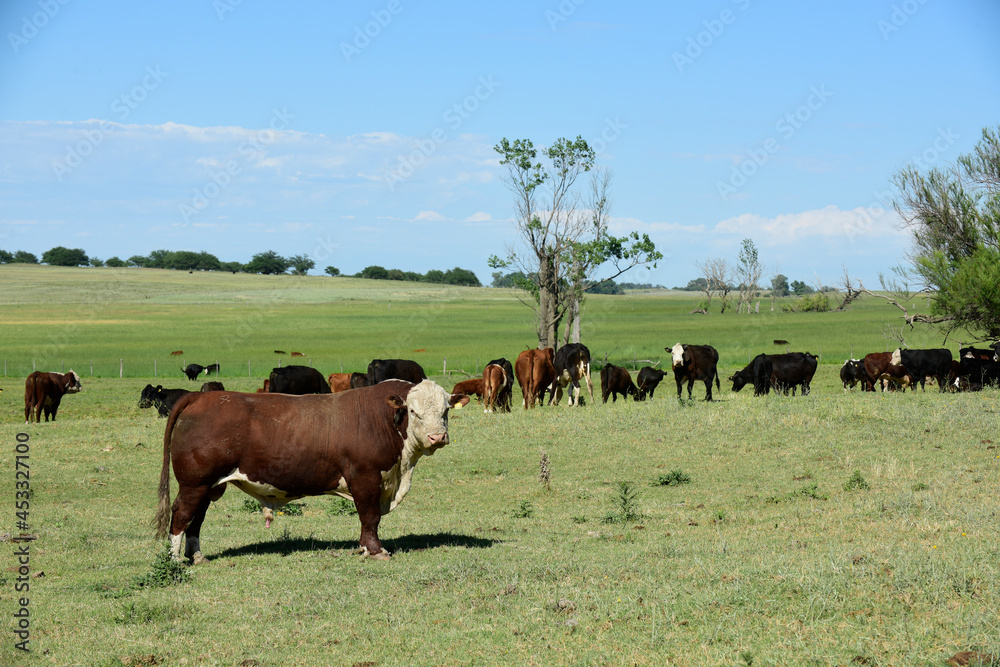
(833, 529)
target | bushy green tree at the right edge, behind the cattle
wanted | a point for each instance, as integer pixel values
(954, 215)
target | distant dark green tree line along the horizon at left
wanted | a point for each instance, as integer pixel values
(263, 263)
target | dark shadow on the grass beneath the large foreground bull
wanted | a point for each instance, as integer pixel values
(285, 544)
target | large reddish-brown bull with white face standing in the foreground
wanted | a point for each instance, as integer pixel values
(361, 445)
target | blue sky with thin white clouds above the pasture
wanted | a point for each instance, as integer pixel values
(362, 133)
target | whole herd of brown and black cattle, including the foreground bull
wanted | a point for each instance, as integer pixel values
(359, 435)
